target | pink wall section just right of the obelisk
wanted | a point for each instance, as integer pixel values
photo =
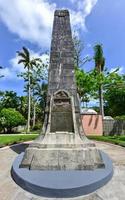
(92, 124)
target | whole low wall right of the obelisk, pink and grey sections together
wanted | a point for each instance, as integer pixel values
(93, 125)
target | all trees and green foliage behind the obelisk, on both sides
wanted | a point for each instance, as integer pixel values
(97, 84)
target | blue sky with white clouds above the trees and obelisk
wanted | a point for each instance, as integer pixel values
(29, 23)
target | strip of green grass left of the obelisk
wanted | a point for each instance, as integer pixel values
(9, 139)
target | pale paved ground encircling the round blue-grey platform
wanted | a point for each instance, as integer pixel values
(114, 190)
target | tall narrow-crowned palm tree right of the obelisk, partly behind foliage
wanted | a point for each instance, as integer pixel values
(99, 65)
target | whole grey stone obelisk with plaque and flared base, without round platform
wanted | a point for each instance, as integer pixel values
(62, 144)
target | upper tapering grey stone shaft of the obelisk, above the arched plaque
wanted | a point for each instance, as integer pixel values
(61, 70)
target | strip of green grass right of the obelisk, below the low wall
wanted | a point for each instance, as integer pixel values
(118, 140)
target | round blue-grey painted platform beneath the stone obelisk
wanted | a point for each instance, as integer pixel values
(62, 183)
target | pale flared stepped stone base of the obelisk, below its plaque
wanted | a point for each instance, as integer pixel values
(70, 153)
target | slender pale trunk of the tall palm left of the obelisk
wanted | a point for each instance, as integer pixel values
(29, 103)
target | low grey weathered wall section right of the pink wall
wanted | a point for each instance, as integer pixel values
(114, 127)
